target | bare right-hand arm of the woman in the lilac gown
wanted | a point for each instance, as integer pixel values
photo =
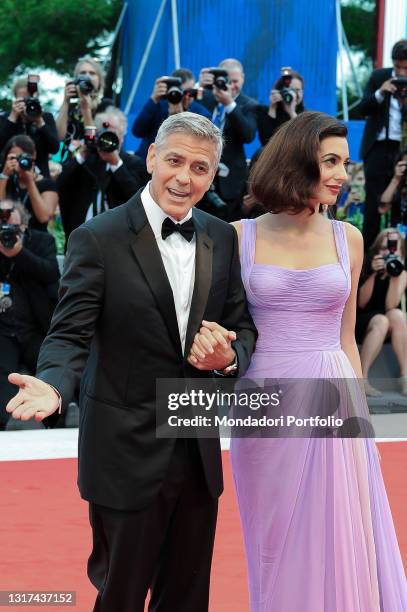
(348, 342)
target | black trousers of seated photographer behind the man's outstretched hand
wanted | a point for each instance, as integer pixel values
(13, 352)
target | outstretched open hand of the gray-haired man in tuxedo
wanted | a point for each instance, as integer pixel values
(35, 398)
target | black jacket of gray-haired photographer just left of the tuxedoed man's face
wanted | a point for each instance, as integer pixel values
(78, 184)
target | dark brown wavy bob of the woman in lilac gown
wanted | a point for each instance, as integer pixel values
(287, 172)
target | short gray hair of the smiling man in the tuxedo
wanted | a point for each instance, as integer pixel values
(192, 125)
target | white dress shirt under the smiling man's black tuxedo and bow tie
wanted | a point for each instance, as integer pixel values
(178, 257)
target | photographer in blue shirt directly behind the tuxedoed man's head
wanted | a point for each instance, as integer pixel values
(159, 106)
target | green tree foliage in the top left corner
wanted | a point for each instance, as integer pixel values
(52, 33)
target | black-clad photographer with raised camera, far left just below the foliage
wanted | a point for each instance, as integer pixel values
(27, 117)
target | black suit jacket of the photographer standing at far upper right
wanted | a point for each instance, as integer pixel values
(377, 115)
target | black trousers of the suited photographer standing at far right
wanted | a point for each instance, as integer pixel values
(379, 168)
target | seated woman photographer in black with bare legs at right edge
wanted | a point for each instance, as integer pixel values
(382, 284)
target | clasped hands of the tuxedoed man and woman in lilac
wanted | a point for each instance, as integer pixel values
(212, 349)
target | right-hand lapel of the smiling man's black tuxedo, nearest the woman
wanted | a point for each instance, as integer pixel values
(203, 279)
